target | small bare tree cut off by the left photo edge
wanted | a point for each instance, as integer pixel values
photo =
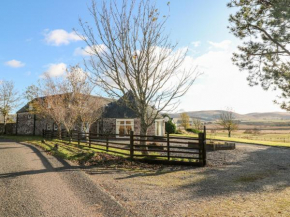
(9, 100)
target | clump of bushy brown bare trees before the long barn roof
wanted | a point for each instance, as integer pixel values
(66, 100)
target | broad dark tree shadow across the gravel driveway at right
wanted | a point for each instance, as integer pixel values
(261, 169)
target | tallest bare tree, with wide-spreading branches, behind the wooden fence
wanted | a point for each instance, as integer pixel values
(130, 53)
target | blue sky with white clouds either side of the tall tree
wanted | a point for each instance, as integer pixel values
(38, 37)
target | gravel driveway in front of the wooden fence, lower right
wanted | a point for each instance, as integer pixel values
(249, 181)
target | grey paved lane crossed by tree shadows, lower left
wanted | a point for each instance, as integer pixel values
(33, 183)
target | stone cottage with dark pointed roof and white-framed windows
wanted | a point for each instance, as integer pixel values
(116, 118)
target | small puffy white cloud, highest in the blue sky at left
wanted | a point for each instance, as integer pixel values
(59, 37)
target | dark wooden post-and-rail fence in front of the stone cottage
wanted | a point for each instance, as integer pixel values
(168, 149)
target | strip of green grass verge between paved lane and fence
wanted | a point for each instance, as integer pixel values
(84, 155)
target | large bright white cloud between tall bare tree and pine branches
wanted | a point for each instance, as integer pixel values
(223, 85)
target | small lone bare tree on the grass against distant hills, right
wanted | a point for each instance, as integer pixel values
(227, 121)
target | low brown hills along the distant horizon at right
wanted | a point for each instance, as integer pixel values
(212, 115)
